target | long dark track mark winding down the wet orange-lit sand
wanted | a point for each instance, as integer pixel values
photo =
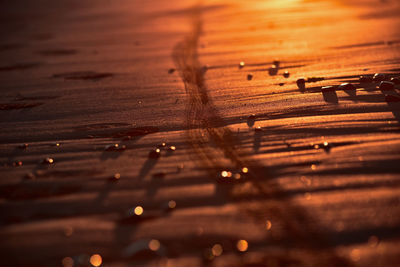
(216, 149)
